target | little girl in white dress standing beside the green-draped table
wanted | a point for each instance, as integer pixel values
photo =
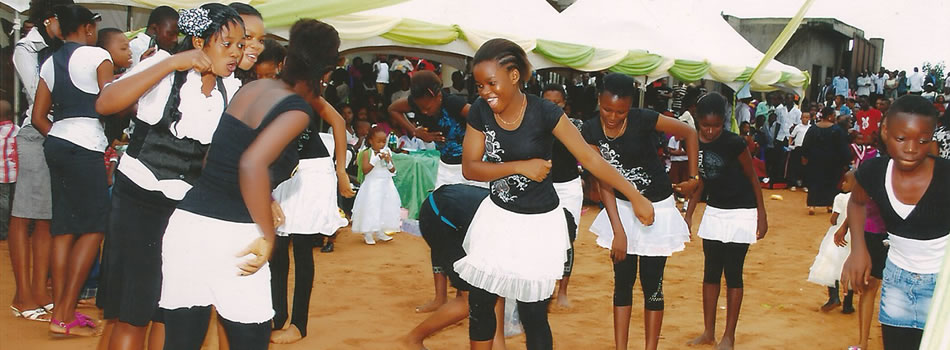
(376, 209)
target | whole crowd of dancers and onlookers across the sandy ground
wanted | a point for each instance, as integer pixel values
(169, 179)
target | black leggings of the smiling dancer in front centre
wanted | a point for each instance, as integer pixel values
(534, 318)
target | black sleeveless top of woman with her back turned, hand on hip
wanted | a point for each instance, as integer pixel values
(217, 193)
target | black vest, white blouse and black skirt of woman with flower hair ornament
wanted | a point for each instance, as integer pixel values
(173, 129)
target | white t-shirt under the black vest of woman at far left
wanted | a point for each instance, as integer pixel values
(85, 132)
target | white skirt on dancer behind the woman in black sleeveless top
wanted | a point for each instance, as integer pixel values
(309, 199)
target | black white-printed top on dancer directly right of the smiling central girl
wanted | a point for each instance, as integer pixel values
(633, 154)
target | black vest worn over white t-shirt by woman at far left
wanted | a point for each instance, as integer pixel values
(70, 101)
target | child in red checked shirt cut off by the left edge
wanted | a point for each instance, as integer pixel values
(8, 164)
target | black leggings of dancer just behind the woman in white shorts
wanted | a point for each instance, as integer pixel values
(303, 277)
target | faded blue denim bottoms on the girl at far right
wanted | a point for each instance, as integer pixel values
(905, 297)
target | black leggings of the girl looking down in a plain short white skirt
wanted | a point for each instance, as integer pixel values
(728, 258)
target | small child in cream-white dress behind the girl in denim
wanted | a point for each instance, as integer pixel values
(826, 270)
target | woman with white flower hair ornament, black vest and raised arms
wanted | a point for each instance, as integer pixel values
(180, 100)
